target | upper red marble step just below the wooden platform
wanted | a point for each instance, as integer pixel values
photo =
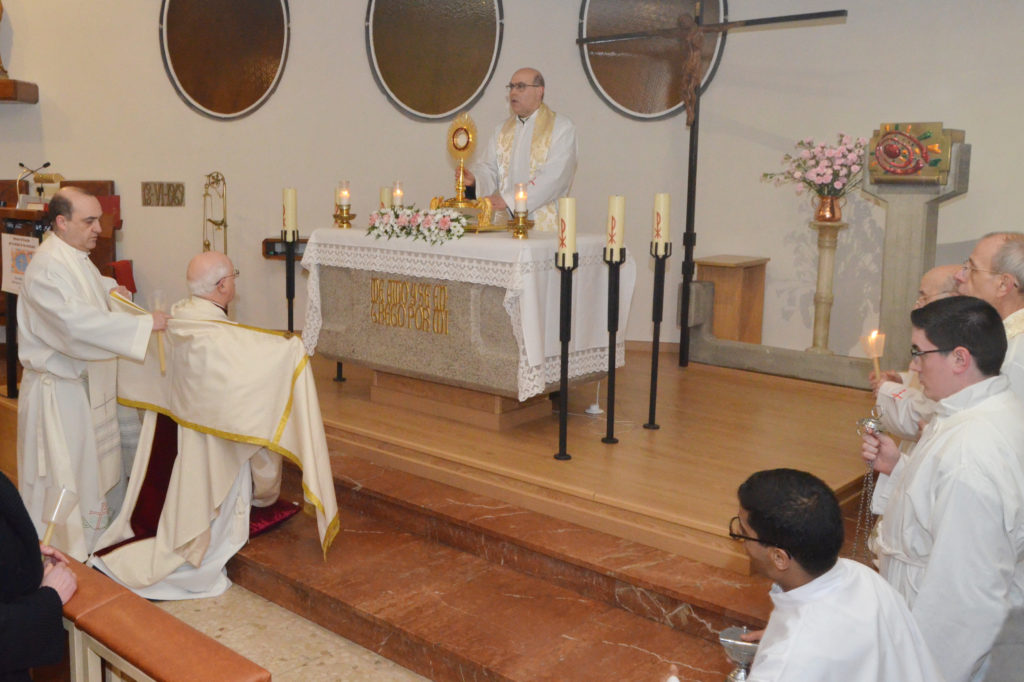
(663, 587)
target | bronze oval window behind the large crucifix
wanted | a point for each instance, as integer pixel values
(644, 77)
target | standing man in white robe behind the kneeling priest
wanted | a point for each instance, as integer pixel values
(69, 340)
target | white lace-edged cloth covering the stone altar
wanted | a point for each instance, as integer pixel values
(526, 269)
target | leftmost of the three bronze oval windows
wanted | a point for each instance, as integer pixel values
(225, 58)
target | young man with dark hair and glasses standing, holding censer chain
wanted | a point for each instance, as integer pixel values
(952, 536)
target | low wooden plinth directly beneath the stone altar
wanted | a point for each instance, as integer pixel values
(462, 405)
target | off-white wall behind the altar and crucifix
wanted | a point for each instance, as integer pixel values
(108, 110)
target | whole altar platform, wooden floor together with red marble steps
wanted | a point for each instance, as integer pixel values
(470, 555)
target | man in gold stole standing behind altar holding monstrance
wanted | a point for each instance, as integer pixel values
(535, 147)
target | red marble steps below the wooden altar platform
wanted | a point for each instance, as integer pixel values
(457, 586)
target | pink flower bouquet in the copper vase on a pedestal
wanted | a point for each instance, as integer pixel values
(828, 172)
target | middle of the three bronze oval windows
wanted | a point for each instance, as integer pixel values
(433, 60)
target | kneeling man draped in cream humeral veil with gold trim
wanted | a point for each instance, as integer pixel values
(241, 398)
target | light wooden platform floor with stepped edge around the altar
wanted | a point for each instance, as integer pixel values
(673, 488)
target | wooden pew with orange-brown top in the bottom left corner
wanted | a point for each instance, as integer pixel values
(107, 622)
